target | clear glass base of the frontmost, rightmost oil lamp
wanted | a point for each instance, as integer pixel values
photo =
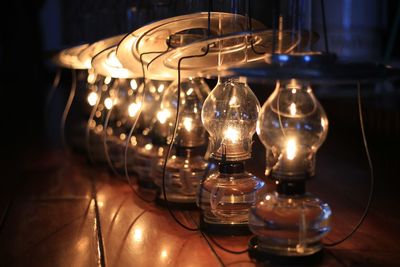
(289, 225)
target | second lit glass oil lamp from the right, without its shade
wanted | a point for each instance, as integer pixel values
(229, 115)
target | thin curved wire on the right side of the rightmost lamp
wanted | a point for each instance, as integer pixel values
(372, 178)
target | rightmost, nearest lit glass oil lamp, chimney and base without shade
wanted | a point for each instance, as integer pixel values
(292, 126)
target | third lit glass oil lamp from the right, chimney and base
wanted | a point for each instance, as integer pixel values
(186, 166)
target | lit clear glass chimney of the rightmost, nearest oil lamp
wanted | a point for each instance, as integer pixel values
(292, 126)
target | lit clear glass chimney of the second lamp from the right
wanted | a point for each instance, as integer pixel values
(229, 115)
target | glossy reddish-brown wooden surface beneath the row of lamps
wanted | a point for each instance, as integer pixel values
(58, 210)
